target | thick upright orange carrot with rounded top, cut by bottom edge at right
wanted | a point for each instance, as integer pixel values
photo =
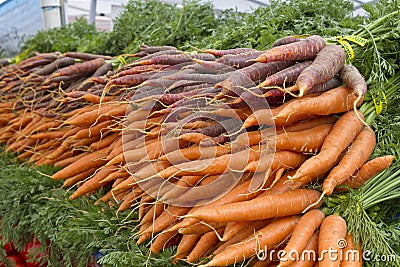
(333, 230)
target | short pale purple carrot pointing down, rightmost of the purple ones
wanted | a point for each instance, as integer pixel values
(354, 80)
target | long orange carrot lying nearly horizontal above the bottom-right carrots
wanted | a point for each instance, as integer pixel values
(283, 204)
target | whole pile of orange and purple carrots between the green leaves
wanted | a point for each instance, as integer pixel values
(215, 150)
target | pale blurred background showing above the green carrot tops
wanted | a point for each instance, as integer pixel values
(22, 18)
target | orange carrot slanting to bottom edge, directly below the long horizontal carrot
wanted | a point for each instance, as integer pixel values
(268, 237)
